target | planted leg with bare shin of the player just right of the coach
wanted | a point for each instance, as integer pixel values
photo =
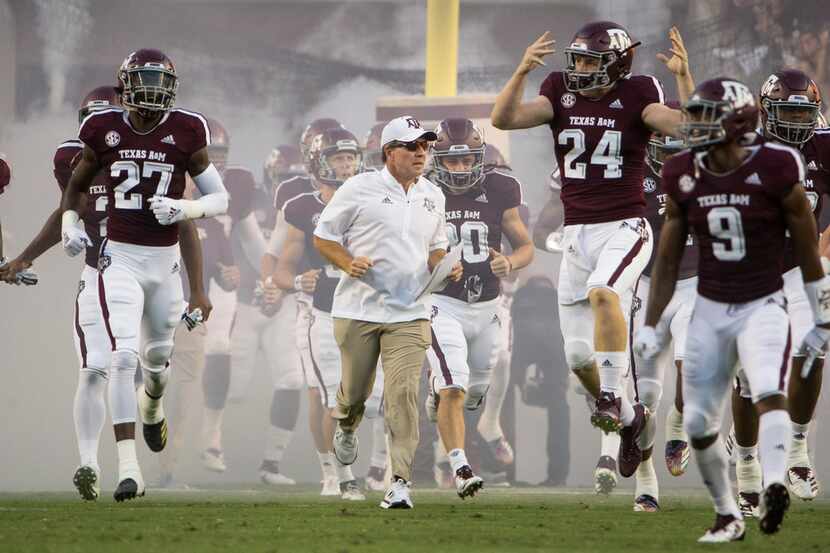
(450, 381)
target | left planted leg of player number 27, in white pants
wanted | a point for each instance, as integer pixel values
(122, 303)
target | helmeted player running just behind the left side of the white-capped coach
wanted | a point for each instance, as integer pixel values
(335, 155)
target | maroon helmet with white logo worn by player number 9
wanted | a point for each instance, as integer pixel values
(720, 110)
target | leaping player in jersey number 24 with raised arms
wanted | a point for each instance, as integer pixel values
(601, 117)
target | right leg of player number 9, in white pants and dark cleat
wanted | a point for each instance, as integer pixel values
(764, 348)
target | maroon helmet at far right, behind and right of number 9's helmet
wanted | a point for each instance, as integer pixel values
(790, 103)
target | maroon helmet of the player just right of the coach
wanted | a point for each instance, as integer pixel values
(458, 155)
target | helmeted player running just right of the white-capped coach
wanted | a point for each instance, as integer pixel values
(465, 322)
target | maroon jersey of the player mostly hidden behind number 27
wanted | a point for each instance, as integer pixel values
(95, 211)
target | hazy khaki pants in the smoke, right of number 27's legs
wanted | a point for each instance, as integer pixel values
(184, 398)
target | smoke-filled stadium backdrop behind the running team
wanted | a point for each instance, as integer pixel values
(264, 69)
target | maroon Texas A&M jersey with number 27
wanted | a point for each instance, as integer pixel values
(142, 165)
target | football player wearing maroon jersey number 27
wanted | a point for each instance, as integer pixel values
(145, 151)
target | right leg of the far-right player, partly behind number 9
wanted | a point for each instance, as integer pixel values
(803, 393)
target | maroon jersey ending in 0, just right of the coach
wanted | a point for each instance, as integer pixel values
(474, 224)
